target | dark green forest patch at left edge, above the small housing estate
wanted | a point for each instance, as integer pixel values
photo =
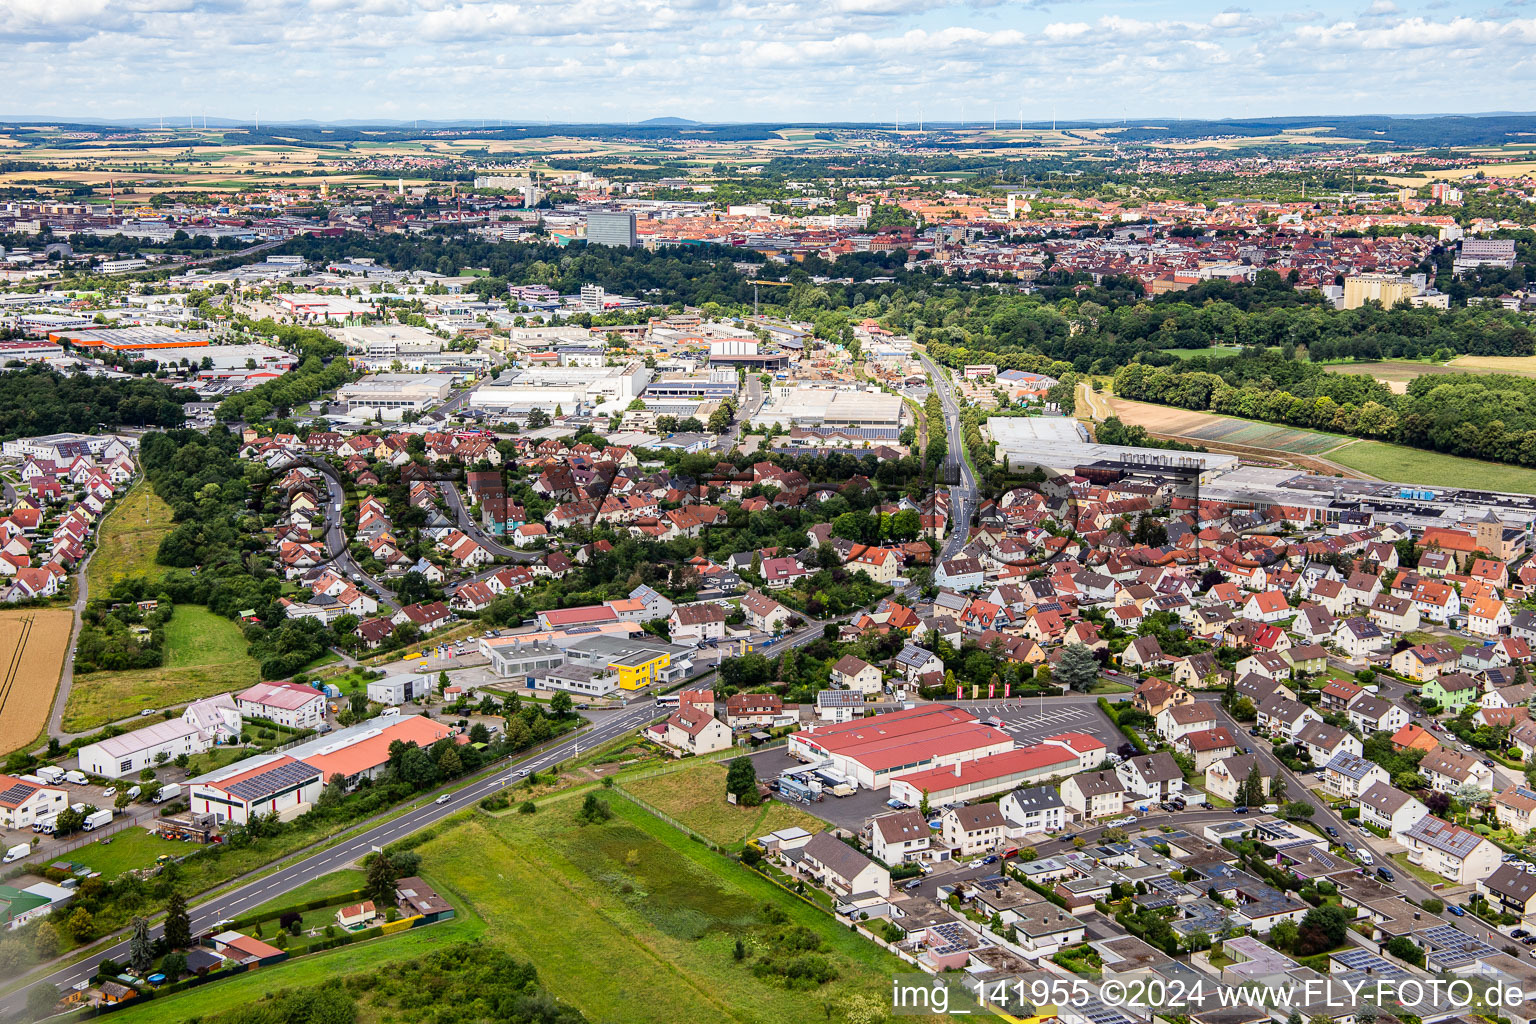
(41, 401)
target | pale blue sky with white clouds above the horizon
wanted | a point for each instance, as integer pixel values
(761, 61)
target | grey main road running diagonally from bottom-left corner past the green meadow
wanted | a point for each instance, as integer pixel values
(230, 905)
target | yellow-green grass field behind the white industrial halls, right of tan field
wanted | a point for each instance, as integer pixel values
(205, 656)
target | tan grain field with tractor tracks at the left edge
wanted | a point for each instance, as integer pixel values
(33, 647)
